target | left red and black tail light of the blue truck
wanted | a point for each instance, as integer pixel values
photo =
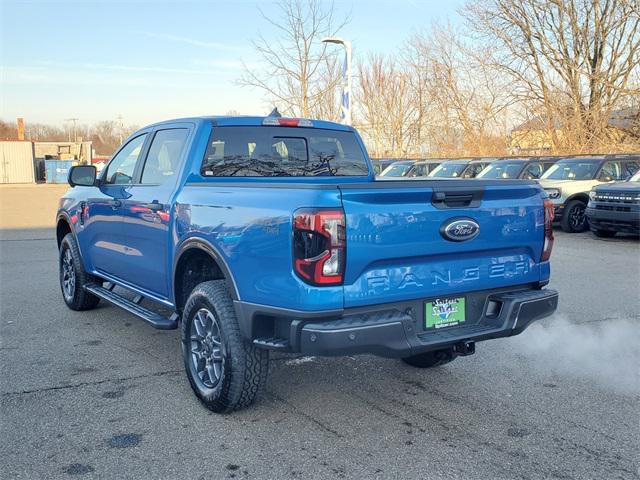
(319, 245)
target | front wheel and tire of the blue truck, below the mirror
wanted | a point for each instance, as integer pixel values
(73, 276)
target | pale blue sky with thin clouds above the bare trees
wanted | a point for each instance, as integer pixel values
(151, 60)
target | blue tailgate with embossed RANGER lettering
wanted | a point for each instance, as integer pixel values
(396, 251)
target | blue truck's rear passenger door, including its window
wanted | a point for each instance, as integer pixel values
(147, 212)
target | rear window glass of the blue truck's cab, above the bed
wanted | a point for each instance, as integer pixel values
(282, 152)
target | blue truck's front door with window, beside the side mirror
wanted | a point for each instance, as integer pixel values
(101, 215)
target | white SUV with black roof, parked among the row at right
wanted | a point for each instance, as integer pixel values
(569, 181)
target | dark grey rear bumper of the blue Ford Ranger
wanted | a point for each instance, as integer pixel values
(397, 330)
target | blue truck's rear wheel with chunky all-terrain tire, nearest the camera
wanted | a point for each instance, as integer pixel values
(244, 367)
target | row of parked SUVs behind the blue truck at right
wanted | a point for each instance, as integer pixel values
(597, 192)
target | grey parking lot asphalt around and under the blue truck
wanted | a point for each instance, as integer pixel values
(100, 394)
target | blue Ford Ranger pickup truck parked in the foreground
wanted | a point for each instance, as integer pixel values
(253, 234)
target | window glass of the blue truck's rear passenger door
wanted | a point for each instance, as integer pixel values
(163, 159)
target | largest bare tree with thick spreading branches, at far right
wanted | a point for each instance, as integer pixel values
(572, 60)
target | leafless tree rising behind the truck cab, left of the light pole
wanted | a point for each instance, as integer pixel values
(299, 74)
